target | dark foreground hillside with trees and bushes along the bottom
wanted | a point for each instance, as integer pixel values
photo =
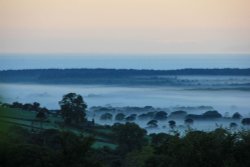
(21, 146)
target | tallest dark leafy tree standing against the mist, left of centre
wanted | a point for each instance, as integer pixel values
(73, 108)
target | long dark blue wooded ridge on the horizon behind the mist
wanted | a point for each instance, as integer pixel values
(109, 76)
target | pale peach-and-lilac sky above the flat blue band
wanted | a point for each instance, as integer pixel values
(125, 26)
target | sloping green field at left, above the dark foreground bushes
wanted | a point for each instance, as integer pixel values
(12, 117)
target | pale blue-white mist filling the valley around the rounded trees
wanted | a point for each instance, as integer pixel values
(225, 94)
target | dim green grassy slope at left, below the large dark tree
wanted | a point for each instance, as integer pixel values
(10, 117)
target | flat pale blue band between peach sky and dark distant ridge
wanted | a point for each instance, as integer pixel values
(170, 61)
